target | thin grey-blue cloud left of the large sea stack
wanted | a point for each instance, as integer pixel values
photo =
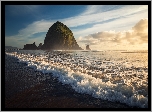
(27, 35)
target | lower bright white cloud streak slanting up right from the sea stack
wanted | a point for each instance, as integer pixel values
(119, 24)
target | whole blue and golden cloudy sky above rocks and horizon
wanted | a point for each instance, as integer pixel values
(102, 27)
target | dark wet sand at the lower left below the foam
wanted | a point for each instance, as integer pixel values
(24, 90)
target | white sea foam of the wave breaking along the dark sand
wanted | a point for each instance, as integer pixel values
(68, 70)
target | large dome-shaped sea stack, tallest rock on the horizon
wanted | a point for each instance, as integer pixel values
(60, 37)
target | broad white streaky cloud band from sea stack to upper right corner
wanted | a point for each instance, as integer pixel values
(117, 20)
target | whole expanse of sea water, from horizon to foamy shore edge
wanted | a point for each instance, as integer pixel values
(118, 76)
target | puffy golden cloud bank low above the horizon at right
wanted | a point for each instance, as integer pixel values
(137, 36)
